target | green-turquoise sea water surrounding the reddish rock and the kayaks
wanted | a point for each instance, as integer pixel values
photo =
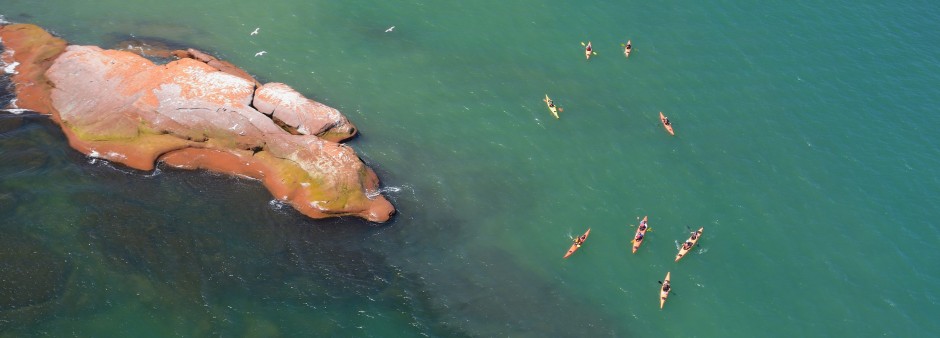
(806, 147)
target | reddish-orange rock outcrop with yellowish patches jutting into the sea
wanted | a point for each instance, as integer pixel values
(194, 112)
